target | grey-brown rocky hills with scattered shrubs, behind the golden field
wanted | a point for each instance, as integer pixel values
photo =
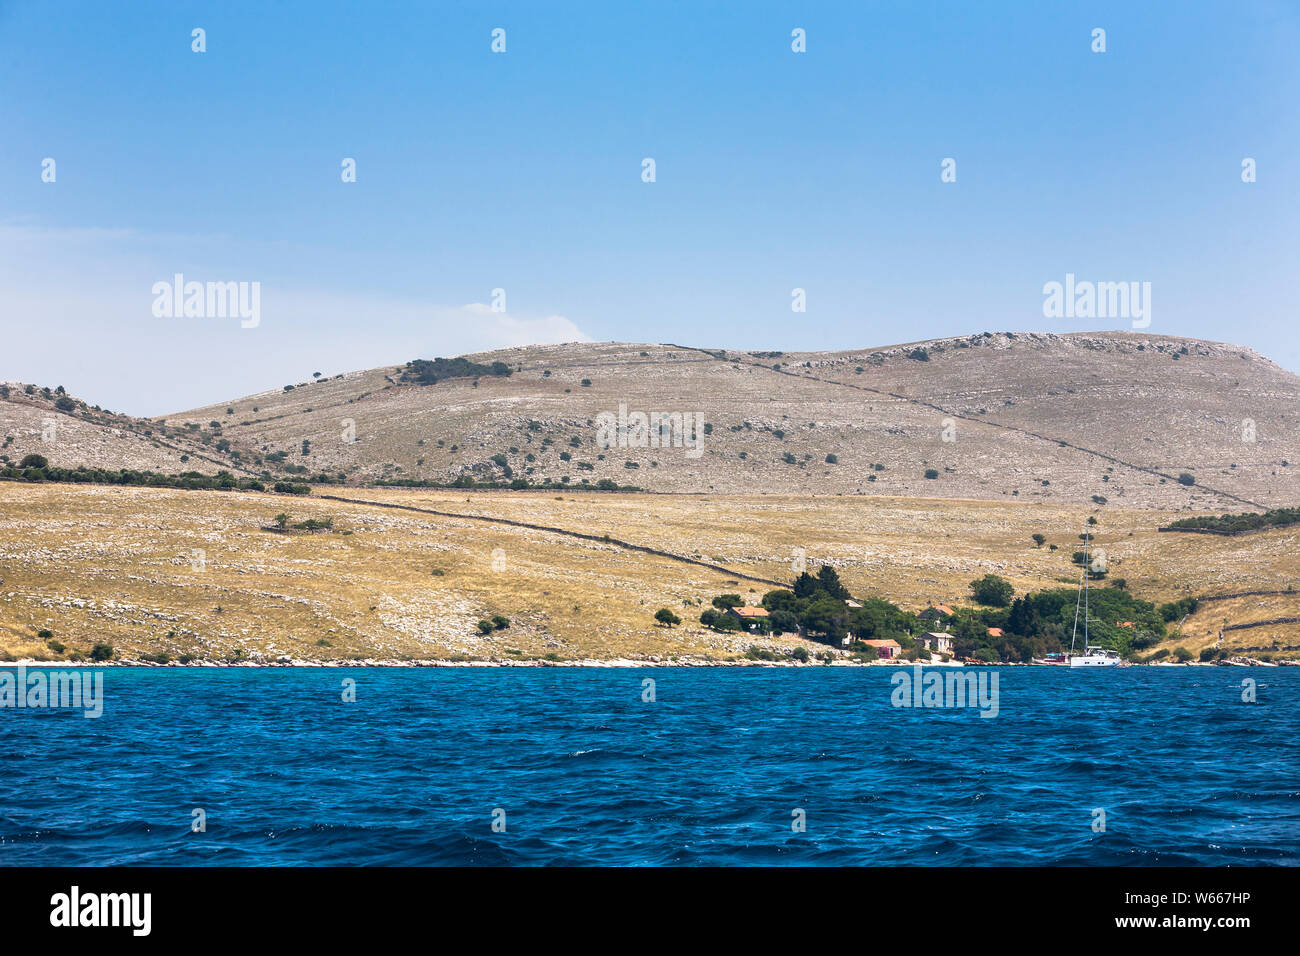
(1113, 418)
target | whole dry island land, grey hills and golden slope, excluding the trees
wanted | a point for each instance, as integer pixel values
(911, 469)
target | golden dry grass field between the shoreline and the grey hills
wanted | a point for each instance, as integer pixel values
(194, 573)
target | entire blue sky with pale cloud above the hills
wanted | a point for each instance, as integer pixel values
(522, 171)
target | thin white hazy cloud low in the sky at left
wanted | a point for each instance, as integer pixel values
(76, 309)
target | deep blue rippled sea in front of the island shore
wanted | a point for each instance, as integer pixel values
(720, 769)
